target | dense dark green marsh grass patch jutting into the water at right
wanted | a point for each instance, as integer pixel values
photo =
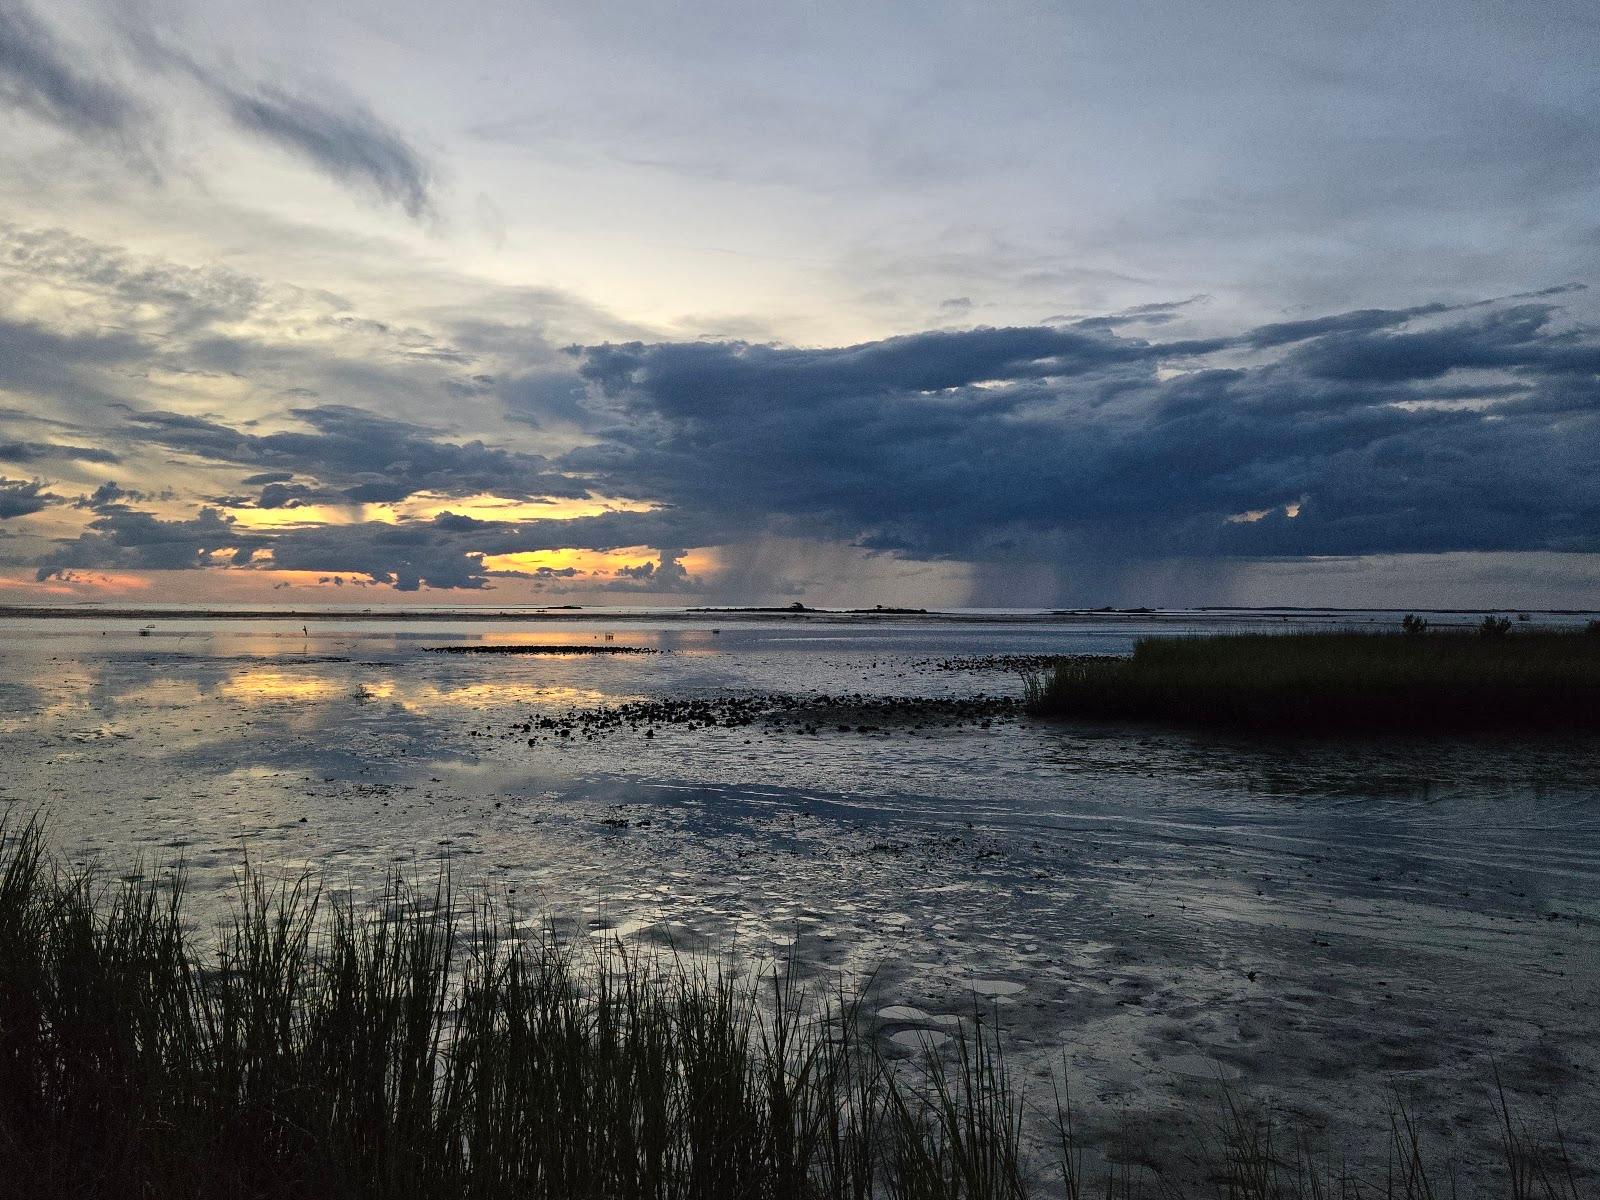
(1487, 679)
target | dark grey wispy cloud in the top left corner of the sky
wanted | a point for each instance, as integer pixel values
(42, 78)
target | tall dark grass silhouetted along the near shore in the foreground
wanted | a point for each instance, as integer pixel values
(404, 1049)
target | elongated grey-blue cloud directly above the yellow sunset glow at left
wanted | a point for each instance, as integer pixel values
(358, 457)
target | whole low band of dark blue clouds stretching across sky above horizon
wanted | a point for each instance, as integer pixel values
(1082, 449)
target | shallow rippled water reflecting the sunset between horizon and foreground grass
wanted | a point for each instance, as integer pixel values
(1324, 921)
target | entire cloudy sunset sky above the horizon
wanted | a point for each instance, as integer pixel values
(951, 305)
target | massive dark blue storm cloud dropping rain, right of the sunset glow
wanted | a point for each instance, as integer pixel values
(980, 444)
